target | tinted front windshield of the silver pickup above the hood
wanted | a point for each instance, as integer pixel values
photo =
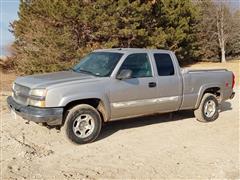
(98, 63)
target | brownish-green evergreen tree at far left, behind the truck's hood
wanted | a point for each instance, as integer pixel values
(43, 36)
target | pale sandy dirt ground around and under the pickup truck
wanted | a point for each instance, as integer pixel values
(149, 147)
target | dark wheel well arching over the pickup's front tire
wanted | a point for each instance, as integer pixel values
(94, 102)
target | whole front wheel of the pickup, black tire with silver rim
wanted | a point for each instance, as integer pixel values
(82, 124)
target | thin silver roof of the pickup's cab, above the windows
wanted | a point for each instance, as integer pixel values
(131, 50)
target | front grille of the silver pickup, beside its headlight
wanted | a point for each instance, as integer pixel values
(20, 94)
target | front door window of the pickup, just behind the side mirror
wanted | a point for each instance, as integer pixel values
(139, 65)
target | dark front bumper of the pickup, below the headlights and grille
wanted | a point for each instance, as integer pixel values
(51, 116)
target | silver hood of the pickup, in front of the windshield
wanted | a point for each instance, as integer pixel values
(45, 80)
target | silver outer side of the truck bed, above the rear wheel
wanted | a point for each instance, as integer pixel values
(196, 81)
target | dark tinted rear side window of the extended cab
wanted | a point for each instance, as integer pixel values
(164, 64)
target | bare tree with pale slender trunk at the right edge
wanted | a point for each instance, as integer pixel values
(217, 30)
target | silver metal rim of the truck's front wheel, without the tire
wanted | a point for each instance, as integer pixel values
(83, 125)
